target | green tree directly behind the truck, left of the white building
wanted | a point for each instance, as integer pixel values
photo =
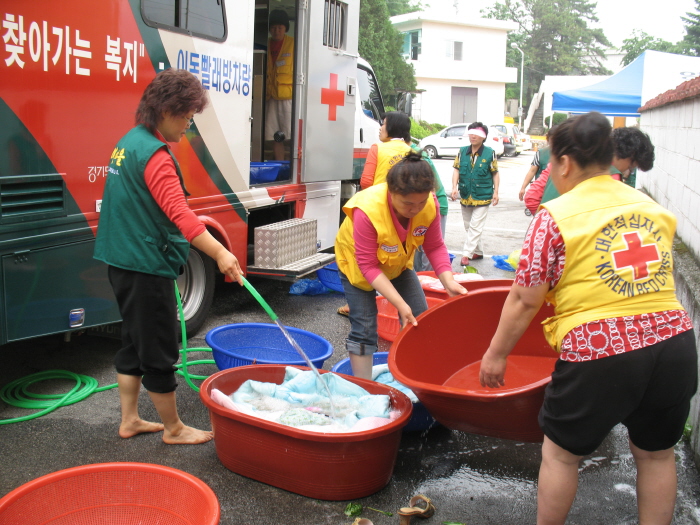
(381, 45)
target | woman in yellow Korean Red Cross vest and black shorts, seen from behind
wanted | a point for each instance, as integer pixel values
(601, 253)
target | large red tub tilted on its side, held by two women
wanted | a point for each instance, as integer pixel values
(449, 388)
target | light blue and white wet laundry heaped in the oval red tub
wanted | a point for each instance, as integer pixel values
(300, 389)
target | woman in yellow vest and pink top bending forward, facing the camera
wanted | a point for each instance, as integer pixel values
(374, 249)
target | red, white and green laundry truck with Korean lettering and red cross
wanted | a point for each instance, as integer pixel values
(71, 76)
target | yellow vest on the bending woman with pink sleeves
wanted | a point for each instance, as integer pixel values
(393, 257)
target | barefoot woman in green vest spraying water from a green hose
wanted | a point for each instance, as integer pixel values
(144, 235)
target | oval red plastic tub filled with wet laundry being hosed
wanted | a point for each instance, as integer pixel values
(332, 467)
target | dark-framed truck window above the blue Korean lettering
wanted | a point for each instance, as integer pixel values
(202, 18)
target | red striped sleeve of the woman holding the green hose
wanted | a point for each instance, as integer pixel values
(164, 184)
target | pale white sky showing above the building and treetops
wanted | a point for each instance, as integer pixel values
(618, 18)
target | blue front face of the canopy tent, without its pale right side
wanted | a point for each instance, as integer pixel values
(618, 96)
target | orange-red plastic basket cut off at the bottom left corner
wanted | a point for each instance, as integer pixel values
(112, 494)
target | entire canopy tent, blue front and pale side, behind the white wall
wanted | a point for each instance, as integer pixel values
(621, 95)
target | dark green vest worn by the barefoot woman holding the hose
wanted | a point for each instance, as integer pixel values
(133, 233)
